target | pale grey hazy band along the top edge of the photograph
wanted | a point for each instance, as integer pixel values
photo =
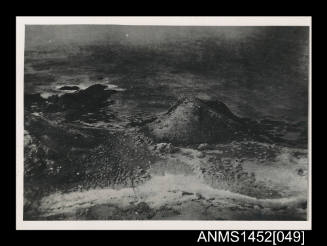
(138, 35)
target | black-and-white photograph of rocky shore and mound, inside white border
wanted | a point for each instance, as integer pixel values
(164, 122)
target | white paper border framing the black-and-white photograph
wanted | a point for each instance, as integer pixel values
(147, 224)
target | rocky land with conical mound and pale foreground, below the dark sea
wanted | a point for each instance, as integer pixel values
(197, 159)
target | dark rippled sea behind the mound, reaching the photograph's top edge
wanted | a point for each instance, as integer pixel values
(258, 72)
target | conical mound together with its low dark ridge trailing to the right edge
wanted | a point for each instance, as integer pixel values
(193, 120)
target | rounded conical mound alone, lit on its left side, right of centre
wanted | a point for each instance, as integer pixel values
(193, 120)
